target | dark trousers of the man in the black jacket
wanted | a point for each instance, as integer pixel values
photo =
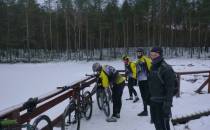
(160, 121)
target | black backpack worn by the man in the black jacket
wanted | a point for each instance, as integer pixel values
(176, 81)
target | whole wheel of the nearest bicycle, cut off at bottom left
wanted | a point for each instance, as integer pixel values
(41, 122)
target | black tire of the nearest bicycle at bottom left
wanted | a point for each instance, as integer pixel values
(43, 118)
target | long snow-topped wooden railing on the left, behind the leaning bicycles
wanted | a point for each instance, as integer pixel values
(47, 102)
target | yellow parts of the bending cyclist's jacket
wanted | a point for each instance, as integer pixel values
(105, 78)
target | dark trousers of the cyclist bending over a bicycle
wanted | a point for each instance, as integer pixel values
(117, 92)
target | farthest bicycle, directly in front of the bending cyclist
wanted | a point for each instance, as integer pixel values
(102, 97)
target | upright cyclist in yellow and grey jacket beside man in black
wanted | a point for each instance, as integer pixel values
(143, 66)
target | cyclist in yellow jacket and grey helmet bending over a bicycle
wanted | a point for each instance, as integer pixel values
(110, 77)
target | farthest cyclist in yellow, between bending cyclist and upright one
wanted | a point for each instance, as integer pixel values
(130, 73)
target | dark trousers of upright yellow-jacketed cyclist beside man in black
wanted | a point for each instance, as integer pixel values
(144, 90)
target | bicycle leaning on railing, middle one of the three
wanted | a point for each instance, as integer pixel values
(80, 105)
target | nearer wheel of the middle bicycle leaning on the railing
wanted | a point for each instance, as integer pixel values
(70, 118)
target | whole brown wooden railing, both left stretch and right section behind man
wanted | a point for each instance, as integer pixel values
(59, 95)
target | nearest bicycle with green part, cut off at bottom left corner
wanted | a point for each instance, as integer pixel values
(13, 124)
